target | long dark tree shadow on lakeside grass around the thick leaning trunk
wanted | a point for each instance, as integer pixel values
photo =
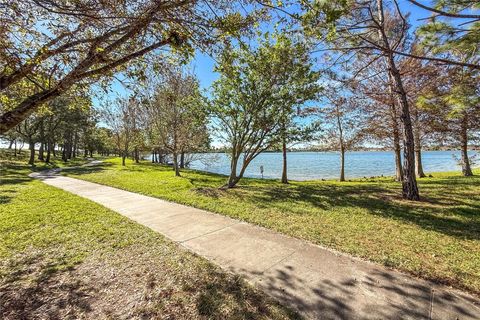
(459, 219)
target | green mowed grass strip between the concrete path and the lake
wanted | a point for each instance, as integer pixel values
(437, 238)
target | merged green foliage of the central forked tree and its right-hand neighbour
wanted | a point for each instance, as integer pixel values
(255, 99)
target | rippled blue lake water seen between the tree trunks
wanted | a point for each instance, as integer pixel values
(326, 165)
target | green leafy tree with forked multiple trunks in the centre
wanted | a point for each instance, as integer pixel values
(245, 109)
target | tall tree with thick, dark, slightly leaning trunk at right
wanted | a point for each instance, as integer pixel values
(372, 31)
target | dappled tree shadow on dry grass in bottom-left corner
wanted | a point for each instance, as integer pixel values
(37, 288)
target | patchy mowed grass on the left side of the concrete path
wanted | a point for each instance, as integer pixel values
(65, 257)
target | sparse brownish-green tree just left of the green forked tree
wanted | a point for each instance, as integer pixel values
(177, 116)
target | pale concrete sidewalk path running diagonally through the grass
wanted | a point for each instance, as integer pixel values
(319, 283)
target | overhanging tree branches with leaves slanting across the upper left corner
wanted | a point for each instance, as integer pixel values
(85, 41)
